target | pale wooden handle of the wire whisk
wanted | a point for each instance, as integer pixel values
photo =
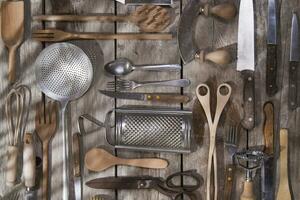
(11, 167)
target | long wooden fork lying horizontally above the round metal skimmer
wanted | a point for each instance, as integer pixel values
(55, 35)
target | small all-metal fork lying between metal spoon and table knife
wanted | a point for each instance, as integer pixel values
(121, 84)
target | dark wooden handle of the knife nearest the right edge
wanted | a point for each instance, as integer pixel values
(293, 71)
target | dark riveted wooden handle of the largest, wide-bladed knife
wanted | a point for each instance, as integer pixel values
(249, 100)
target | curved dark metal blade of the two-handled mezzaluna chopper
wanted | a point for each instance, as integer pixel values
(186, 29)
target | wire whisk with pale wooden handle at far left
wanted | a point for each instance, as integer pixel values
(17, 108)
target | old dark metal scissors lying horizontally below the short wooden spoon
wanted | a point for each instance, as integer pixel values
(164, 186)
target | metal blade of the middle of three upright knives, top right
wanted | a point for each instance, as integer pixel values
(272, 22)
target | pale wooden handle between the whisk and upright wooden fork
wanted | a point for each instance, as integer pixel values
(29, 159)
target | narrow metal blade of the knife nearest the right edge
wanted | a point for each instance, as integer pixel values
(294, 49)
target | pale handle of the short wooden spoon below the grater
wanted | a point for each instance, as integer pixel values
(152, 163)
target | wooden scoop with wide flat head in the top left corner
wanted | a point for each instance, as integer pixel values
(12, 32)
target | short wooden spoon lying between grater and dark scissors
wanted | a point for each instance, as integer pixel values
(98, 159)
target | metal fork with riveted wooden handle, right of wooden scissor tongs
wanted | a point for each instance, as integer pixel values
(231, 142)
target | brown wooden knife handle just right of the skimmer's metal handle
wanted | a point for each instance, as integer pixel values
(76, 154)
